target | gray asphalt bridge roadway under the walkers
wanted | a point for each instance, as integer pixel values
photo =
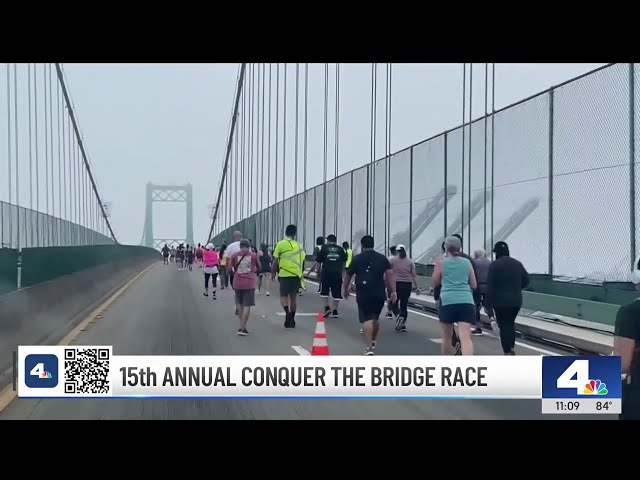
(165, 313)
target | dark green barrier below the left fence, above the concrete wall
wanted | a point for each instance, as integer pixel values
(46, 263)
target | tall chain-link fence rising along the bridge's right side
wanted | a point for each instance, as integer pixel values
(554, 176)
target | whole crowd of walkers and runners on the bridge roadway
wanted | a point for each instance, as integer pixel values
(462, 287)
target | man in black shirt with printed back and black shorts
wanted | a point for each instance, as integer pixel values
(332, 259)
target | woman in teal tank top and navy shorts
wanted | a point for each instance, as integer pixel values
(455, 274)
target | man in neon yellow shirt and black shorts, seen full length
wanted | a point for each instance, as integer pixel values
(288, 262)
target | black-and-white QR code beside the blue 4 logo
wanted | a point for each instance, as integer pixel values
(86, 371)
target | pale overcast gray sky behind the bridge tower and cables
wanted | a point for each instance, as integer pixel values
(168, 124)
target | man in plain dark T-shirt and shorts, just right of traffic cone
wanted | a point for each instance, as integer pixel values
(374, 278)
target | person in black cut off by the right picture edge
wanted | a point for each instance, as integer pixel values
(626, 345)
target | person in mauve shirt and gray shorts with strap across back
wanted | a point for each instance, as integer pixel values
(245, 265)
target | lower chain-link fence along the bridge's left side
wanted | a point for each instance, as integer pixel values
(24, 228)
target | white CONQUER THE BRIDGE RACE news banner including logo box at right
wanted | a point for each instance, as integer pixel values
(93, 371)
